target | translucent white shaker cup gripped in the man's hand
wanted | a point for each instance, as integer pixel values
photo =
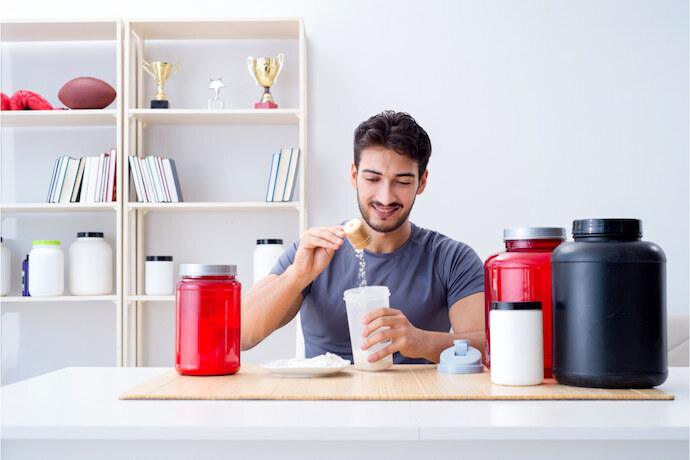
(359, 302)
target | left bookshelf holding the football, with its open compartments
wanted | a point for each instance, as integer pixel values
(31, 142)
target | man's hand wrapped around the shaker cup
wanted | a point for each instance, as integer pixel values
(405, 338)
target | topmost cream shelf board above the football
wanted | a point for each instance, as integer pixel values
(58, 31)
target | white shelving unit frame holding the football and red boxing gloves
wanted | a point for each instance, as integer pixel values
(50, 34)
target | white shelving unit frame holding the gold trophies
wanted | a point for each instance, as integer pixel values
(139, 119)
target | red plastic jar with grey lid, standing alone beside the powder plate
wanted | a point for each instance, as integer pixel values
(207, 329)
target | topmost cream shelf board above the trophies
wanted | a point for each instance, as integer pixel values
(247, 29)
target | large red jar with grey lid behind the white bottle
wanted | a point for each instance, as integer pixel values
(523, 274)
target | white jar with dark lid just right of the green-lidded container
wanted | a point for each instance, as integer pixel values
(90, 264)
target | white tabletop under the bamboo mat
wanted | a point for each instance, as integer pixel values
(81, 404)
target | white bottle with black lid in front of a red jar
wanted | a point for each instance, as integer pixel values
(517, 343)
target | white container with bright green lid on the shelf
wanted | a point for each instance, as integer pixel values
(46, 269)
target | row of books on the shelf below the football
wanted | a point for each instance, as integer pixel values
(83, 180)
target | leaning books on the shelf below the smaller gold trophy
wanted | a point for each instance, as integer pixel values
(155, 179)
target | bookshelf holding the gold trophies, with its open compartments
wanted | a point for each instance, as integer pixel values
(208, 49)
